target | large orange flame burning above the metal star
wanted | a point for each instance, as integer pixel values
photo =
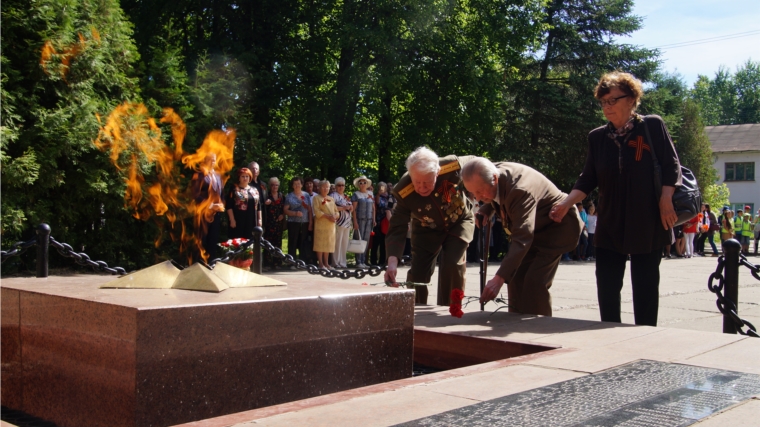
(136, 146)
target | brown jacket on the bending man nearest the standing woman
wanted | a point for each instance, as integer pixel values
(526, 197)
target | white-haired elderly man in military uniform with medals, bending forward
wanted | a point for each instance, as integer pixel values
(431, 195)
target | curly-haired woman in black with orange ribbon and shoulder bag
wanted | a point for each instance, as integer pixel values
(636, 218)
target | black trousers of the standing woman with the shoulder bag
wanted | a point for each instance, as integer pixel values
(645, 278)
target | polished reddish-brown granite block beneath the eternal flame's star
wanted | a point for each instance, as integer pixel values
(78, 355)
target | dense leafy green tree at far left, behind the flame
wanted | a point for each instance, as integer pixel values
(64, 62)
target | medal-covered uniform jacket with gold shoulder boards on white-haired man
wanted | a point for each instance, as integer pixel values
(446, 211)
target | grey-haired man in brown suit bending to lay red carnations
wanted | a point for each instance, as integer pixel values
(523, 197)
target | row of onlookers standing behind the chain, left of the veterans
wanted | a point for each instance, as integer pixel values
(317, 214)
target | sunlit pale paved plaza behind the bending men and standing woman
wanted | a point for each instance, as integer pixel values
(685, 301)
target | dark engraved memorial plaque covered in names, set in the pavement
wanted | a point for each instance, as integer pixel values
(640, 394)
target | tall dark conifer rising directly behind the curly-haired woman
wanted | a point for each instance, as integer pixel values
(550, 106)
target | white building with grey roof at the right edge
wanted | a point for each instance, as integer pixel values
(737, 152)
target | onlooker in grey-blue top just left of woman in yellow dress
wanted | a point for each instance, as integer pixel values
(298, 210)
